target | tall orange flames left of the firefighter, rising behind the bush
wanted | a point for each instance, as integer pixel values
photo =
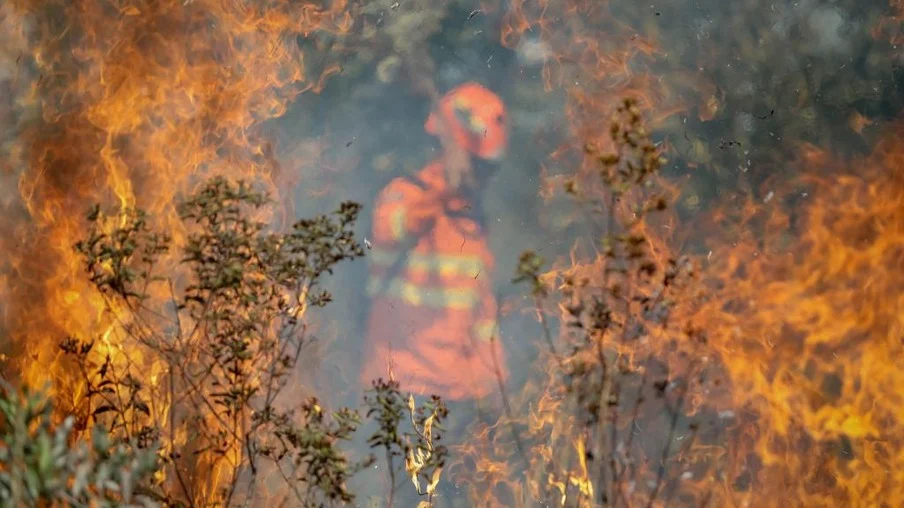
(137, 103)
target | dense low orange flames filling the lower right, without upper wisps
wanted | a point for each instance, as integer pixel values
(791, 393)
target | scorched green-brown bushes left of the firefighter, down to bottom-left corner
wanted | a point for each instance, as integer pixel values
(186, 393)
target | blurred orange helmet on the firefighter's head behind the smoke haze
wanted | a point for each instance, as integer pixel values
(476, 118)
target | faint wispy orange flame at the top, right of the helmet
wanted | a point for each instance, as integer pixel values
(595, 61)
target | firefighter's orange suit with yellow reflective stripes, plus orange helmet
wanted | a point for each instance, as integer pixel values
(433, 312)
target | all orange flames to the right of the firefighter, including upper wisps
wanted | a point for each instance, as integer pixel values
(788, 384)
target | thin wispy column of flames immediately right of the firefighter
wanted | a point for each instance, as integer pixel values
(595, 61)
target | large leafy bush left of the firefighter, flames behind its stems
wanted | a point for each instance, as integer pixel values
(200, 349)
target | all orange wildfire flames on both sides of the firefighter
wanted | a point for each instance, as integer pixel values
(776, 380)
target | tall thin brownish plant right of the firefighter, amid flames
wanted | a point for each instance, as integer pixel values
(617, 307)
